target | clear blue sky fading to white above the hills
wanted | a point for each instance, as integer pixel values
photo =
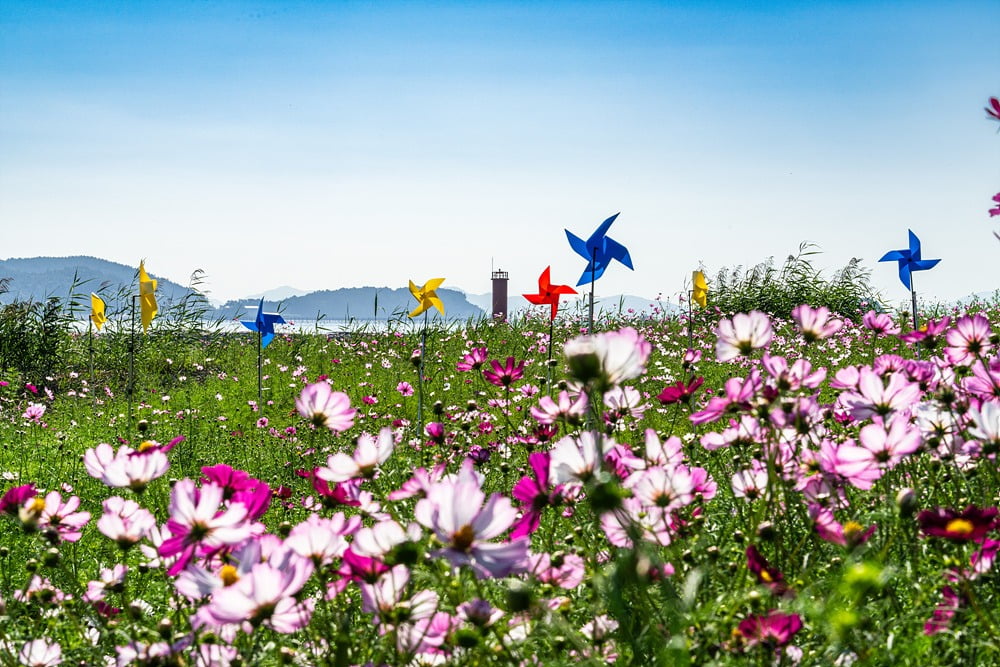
(341, 144)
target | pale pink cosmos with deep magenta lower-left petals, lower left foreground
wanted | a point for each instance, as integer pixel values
(197, 521)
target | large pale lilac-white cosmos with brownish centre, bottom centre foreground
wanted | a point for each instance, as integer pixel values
(454, 510)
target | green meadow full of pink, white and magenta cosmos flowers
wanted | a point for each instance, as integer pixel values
(734, 489)
